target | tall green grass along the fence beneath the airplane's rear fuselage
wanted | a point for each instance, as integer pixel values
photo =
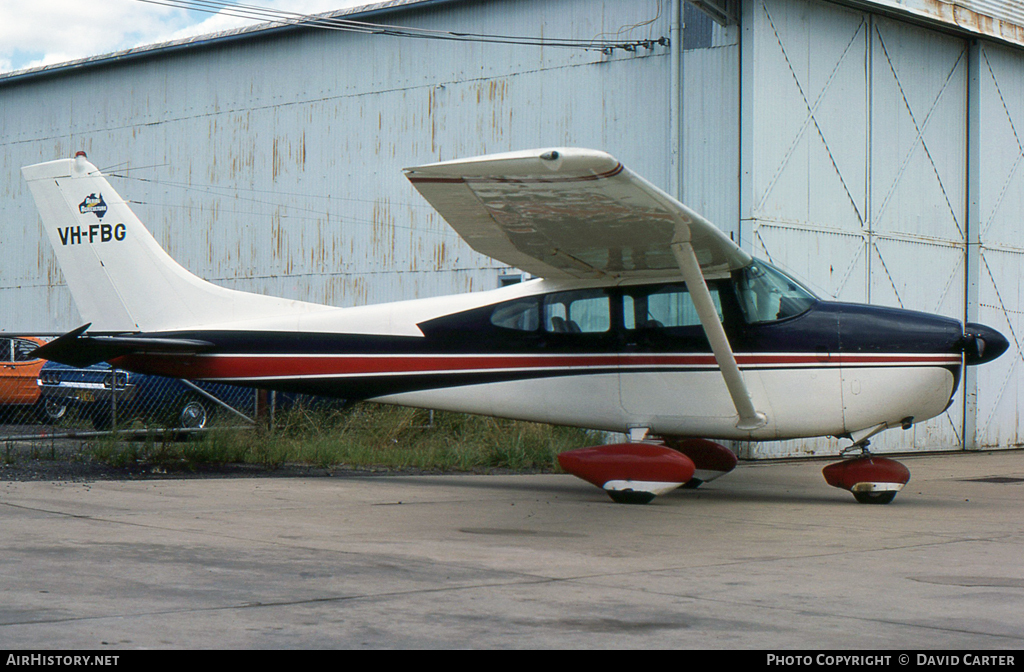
(363, 437)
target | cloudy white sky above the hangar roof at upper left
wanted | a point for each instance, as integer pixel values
(45, 32)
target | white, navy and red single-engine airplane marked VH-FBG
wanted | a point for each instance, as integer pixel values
(646, 320)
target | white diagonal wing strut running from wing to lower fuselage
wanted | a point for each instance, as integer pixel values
(750, 418)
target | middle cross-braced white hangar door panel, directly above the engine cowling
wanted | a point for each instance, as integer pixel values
(918, 240)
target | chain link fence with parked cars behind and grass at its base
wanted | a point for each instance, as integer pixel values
(60, 422)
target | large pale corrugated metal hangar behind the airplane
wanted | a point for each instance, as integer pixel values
(872, 148)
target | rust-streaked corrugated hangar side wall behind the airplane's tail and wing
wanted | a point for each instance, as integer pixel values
(274, 163)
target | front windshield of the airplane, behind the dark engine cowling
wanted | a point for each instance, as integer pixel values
(766, 295)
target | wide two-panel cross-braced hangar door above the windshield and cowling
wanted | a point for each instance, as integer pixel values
(855, 170)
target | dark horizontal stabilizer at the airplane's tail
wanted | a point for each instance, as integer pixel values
(76, 350)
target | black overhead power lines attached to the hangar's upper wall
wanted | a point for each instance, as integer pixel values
(326, 22)
